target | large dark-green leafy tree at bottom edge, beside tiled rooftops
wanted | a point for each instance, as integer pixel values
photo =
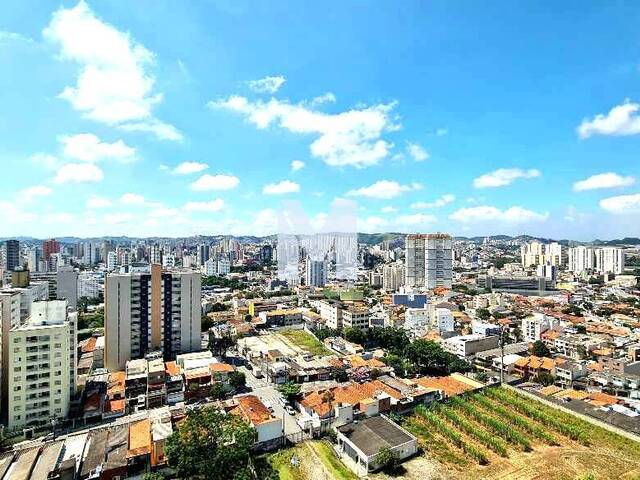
(209, 445)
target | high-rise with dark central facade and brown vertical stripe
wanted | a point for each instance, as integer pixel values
(151, 311)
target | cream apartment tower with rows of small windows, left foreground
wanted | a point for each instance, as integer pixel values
(43, 368)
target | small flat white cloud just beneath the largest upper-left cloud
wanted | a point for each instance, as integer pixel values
(88, 148)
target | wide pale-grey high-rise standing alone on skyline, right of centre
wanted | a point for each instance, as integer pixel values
(428, 260)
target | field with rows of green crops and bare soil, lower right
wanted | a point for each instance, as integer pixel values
(501, 434)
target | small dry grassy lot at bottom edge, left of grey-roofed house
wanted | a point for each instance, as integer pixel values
(312, 460)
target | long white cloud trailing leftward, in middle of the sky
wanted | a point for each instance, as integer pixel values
(347, 138)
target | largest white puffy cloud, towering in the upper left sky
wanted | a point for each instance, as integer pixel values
(114, 85)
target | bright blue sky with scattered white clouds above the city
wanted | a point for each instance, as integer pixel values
(171, 118)
